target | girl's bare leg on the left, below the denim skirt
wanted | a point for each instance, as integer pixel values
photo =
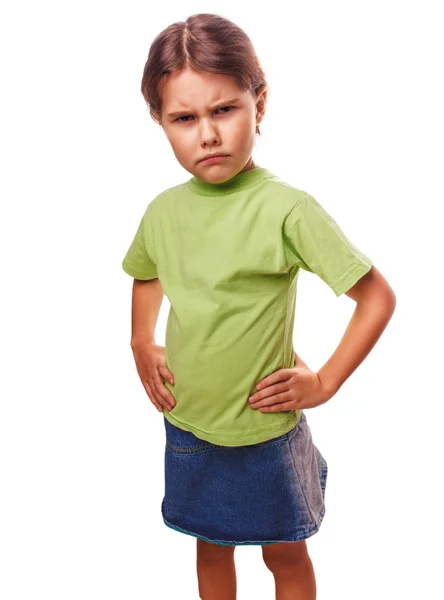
(216, 572)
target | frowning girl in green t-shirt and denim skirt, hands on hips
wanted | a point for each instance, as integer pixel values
(226, 247)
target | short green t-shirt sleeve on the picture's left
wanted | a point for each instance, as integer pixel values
(140, 259)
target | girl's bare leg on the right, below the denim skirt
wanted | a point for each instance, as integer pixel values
(292, 570)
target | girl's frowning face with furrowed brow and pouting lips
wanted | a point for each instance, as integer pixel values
(211, 115)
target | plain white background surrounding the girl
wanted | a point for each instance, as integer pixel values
(354, 118)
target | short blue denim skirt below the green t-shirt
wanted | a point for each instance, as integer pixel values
(259, 494)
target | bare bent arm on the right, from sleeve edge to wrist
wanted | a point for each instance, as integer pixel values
(375, 304)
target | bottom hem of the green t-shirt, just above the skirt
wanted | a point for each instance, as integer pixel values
(244, 438)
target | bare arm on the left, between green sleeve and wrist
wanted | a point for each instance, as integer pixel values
(146, 302)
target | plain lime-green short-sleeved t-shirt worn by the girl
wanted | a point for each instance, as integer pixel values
(228, 257)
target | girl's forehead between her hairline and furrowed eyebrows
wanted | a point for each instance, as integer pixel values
(187, 88)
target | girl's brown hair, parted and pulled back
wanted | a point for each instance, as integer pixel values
(205, 42)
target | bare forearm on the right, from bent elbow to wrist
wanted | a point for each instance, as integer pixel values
(363, 331)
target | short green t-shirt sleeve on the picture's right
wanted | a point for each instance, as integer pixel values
(314, 241)
